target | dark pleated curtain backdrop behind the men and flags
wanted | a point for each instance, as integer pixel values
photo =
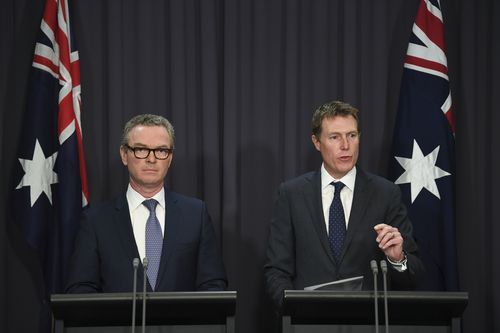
(239, 80)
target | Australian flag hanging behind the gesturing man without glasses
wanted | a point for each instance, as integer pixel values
(423, 162)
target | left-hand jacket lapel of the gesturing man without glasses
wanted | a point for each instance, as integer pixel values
(314, 202)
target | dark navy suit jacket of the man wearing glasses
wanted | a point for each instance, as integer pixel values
(105, 248)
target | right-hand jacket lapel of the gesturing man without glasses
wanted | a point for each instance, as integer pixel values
(362, 194)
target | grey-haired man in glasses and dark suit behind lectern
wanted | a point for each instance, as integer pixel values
(172, 231)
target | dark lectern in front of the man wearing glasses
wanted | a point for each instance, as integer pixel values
(165, 312)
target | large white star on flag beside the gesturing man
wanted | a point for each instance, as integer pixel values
(421, 171)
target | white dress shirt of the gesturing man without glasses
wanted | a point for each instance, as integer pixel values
(346, 194)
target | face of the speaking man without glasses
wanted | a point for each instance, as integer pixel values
(338, 144)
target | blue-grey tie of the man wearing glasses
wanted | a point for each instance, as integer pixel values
(154, 242)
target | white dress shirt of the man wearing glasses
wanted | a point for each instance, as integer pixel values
(139, 216)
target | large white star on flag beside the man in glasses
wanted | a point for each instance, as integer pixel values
(39, 174)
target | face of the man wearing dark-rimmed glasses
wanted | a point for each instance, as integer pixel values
(147, 175)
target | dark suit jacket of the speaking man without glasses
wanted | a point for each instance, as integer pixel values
(298, 253)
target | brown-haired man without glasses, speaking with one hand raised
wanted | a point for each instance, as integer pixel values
(329, 224)
